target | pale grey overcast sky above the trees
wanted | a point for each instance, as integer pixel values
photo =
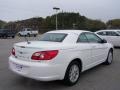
(11, 10)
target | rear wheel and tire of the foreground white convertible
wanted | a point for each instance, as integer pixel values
(72, 74)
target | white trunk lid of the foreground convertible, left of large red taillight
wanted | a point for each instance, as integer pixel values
(24, 51)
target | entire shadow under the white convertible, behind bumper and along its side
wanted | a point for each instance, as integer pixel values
(31, 84)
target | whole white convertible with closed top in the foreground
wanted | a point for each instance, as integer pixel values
(60, 55)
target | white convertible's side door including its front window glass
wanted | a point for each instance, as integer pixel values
(99, 50)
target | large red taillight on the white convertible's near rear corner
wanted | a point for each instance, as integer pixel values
(44, 55)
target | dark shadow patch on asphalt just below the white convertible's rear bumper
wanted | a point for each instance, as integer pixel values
(31, 84)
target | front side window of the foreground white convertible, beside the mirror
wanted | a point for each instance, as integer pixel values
(92, 38)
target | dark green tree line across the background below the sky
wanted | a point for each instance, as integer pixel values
(66, 20)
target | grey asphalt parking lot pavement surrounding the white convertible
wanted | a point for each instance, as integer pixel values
(101, 77)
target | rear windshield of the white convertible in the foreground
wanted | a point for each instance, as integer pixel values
(53, 37)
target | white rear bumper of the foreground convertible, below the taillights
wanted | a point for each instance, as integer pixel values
(36, 70)
